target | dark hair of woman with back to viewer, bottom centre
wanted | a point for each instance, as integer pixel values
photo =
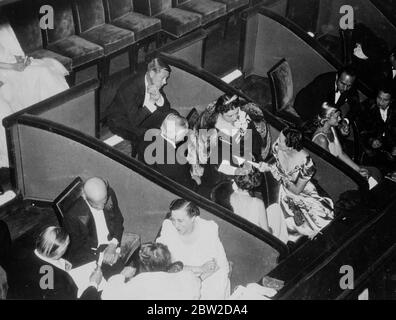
(154, 257)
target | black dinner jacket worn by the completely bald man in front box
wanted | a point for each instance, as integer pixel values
(80, 225)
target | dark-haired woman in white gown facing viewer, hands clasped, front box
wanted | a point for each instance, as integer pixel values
(195, 242)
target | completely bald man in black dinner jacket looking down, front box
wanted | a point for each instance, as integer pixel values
(95, 224)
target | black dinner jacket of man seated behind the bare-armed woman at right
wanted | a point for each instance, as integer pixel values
(309, 100)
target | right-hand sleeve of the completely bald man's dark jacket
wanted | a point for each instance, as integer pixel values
(115, 219)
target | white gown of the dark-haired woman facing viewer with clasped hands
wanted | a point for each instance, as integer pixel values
(206, 247)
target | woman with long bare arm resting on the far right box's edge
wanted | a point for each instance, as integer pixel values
(326, 137)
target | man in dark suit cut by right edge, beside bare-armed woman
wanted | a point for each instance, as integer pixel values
(379, 130)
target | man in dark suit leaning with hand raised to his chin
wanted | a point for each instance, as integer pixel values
(140, 104)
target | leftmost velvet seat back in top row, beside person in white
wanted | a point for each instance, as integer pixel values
(24, 19)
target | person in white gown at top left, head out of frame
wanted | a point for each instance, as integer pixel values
(25, 80)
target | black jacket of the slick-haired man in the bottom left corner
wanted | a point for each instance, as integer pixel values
(24, 282)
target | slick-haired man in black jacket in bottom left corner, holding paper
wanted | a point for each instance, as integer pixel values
(29, 282)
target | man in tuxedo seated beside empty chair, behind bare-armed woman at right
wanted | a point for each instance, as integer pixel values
(336, 88)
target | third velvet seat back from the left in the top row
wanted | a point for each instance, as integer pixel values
(90, 14)
